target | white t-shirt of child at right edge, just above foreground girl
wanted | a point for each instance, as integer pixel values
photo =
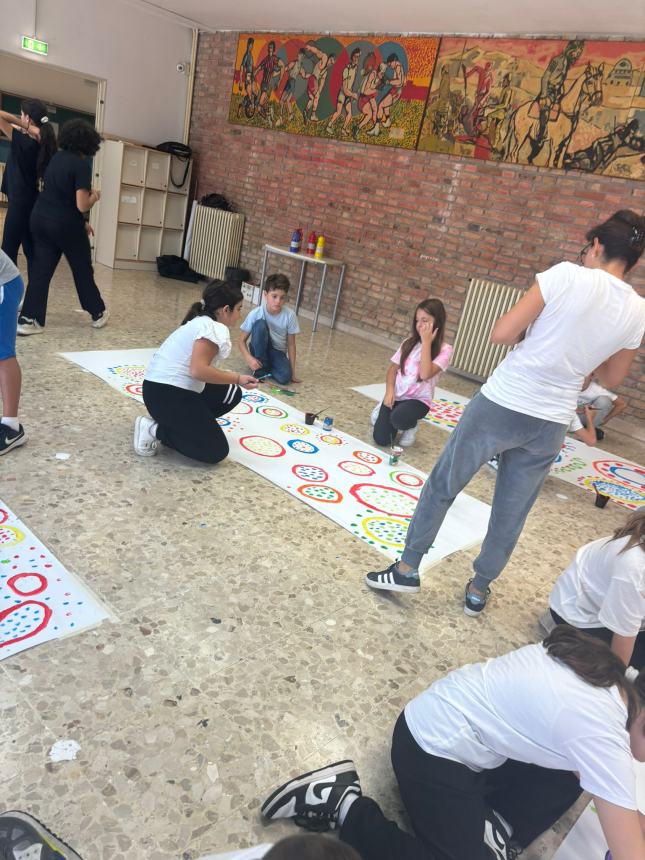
(603, 587)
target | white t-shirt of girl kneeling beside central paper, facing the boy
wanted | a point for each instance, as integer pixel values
(171, 363)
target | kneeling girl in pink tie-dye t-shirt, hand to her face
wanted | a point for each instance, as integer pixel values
(412, 376)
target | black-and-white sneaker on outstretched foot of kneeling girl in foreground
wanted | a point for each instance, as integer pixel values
(313, 799)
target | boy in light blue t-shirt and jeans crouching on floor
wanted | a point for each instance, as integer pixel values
(268, 334)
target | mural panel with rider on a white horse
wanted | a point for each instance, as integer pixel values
(576, 105)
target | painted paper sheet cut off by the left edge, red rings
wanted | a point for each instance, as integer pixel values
(39, 599)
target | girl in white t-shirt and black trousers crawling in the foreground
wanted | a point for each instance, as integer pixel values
(490, 757)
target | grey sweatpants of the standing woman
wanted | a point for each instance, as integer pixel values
(527, 447)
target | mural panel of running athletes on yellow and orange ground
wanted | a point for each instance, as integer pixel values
(363, 88)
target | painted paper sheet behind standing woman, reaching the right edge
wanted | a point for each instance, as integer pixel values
(587, 467)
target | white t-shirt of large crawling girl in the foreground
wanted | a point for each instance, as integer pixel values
(531, 708)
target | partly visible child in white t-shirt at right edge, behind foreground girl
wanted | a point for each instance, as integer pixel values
(603, 591)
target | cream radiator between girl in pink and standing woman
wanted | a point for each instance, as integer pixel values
(475, 356)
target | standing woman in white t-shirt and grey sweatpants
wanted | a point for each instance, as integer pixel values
(523, 410)
